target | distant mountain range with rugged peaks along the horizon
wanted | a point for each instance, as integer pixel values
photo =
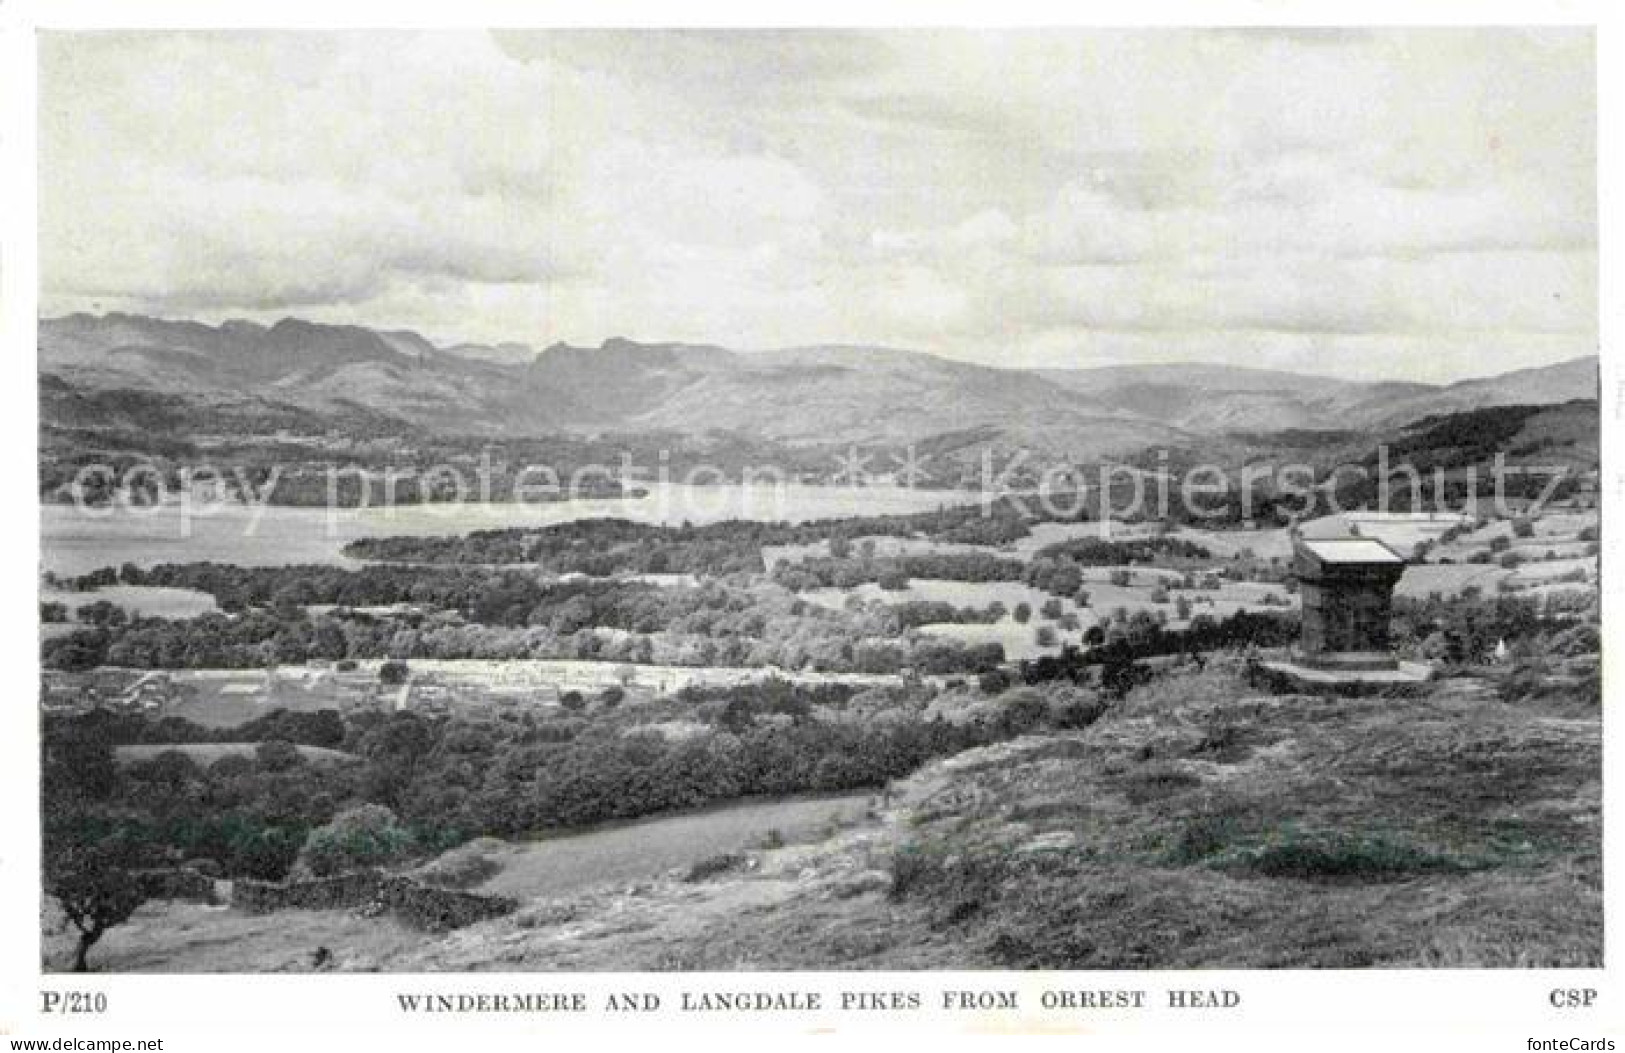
(815, 394)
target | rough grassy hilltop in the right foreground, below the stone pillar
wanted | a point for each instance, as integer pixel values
(1203, 825)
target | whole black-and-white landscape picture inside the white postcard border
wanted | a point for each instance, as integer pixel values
(776, 501)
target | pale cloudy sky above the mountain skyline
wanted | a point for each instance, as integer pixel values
(1389, 204)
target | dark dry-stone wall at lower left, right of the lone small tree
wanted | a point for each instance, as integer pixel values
(375, 891)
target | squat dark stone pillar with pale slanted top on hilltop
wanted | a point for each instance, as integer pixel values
(1348, 591)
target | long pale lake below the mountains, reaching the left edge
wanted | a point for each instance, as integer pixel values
(82, 540)
